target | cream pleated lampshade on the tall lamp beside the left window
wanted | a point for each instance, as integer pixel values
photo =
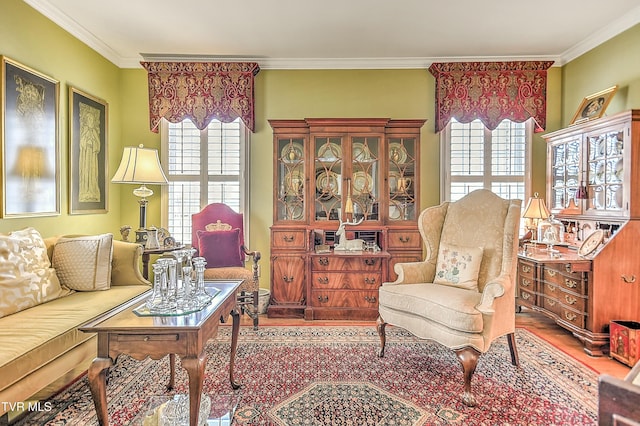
(141, 166)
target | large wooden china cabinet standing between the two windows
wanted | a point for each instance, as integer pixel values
(362, 174)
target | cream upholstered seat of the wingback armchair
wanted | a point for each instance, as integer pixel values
(453, 307)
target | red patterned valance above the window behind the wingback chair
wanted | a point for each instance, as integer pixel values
(491, 91)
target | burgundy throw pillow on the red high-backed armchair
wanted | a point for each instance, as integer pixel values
(220, 248)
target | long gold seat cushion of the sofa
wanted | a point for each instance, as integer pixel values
(36, 336)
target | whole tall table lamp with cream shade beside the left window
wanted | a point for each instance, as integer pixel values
(140, 165)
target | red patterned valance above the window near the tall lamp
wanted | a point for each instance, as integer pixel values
(201, 91)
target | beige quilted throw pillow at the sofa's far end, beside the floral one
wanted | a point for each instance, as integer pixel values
(84, 263)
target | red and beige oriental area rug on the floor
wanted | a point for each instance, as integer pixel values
(332, 375)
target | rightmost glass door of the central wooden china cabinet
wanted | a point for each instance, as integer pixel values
(401, 178)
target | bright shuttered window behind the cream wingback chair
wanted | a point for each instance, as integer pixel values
(474, 157)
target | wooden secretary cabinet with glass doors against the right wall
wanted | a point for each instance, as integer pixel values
(594, 278)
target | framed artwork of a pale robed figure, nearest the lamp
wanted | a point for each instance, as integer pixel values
(88, 153)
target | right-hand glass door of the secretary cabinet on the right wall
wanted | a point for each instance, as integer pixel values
(605, 168)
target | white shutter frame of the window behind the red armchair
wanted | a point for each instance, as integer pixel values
(204, 179)
